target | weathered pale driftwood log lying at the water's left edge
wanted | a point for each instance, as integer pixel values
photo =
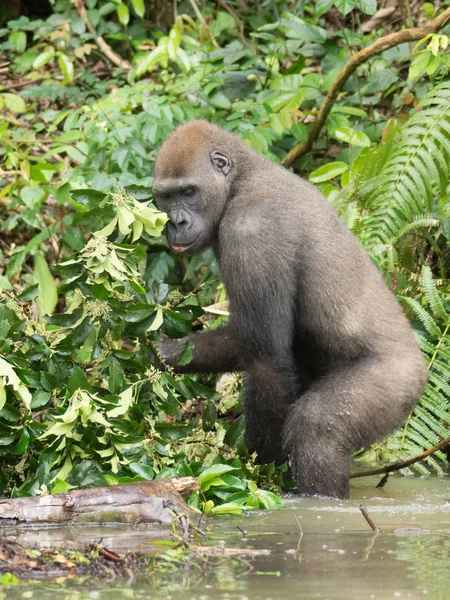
(157, 501)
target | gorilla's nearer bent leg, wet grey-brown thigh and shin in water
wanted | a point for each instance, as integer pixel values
(349, 408)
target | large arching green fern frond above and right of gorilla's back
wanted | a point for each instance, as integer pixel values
(403, 184)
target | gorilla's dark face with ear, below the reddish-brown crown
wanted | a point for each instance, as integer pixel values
(194, 201)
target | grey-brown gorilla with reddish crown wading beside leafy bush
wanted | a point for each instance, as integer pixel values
(331, 362)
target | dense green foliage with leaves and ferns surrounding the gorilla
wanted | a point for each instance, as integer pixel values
(88, 92)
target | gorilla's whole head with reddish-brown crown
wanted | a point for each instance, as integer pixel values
(193, 180)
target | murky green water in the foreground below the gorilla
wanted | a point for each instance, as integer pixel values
(312, 549)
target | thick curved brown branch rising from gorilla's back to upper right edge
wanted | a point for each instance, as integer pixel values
(380, 45)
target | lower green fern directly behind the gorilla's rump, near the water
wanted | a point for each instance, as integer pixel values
(430, 421)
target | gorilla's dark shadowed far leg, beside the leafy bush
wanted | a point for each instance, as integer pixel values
(269, 391)
